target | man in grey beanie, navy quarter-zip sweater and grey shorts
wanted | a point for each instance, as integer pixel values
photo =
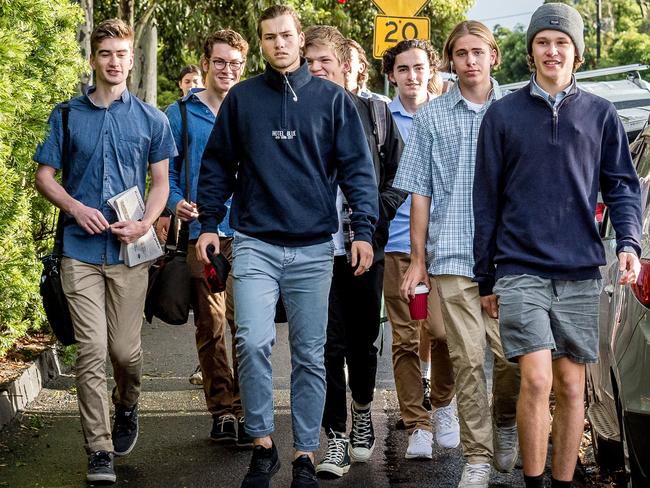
(543, 153)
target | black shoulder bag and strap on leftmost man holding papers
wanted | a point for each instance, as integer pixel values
(55, 302)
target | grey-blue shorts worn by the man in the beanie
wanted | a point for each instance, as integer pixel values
(538, 313)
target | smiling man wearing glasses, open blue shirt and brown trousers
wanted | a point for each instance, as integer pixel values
(223, 61)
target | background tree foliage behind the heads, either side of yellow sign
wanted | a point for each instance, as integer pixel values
(183, 25)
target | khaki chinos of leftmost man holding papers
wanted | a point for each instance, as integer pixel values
(106, 305)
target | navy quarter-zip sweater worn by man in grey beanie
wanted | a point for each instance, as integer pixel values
(537, 176)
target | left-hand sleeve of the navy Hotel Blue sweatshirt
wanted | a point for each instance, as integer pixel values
(219, 167)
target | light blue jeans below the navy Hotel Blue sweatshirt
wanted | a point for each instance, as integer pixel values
(303, 274)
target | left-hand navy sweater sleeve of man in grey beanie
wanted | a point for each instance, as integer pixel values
(486, 200)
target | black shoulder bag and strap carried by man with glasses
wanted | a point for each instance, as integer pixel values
(168, 292)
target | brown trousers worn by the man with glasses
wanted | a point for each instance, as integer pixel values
(212, 313)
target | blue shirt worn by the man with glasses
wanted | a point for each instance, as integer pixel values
(200, 121)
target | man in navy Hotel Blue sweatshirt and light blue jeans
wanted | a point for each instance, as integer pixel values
(283, 140)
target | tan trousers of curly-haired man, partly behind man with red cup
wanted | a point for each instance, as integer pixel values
(406, 344)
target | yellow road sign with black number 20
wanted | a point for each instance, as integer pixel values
(398, 23)
